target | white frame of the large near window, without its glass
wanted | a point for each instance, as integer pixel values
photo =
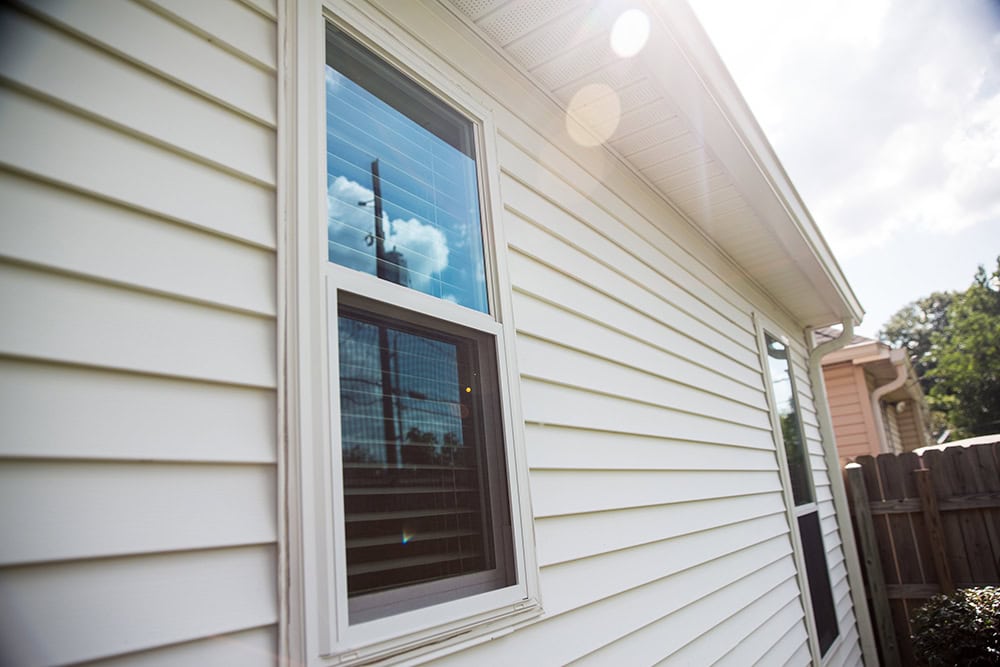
(318, 631)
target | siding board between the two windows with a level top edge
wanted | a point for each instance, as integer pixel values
(557, 492)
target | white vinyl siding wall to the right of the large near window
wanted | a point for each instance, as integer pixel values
(659, 515)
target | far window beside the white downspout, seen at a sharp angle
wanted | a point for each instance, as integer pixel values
(791, 442)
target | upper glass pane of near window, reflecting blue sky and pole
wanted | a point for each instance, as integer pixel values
(402, 189)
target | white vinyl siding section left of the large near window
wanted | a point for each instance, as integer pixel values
(138, 352)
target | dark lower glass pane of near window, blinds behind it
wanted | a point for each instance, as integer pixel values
(417, 498)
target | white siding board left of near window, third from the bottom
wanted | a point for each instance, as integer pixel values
(65, 510)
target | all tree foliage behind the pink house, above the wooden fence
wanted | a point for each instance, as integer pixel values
(954, 344)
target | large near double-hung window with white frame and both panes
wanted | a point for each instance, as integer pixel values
(421, 523)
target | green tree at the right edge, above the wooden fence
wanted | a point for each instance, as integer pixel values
(965, 377)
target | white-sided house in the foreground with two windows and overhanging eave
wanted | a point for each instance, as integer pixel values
(327, 338)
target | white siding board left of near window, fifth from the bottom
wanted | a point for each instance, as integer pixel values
(58, 318)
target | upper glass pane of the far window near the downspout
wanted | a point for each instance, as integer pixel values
(788, 415)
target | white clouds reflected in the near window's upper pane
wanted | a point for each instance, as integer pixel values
(351, 229)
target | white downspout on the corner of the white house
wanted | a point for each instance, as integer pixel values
(853, 563)
